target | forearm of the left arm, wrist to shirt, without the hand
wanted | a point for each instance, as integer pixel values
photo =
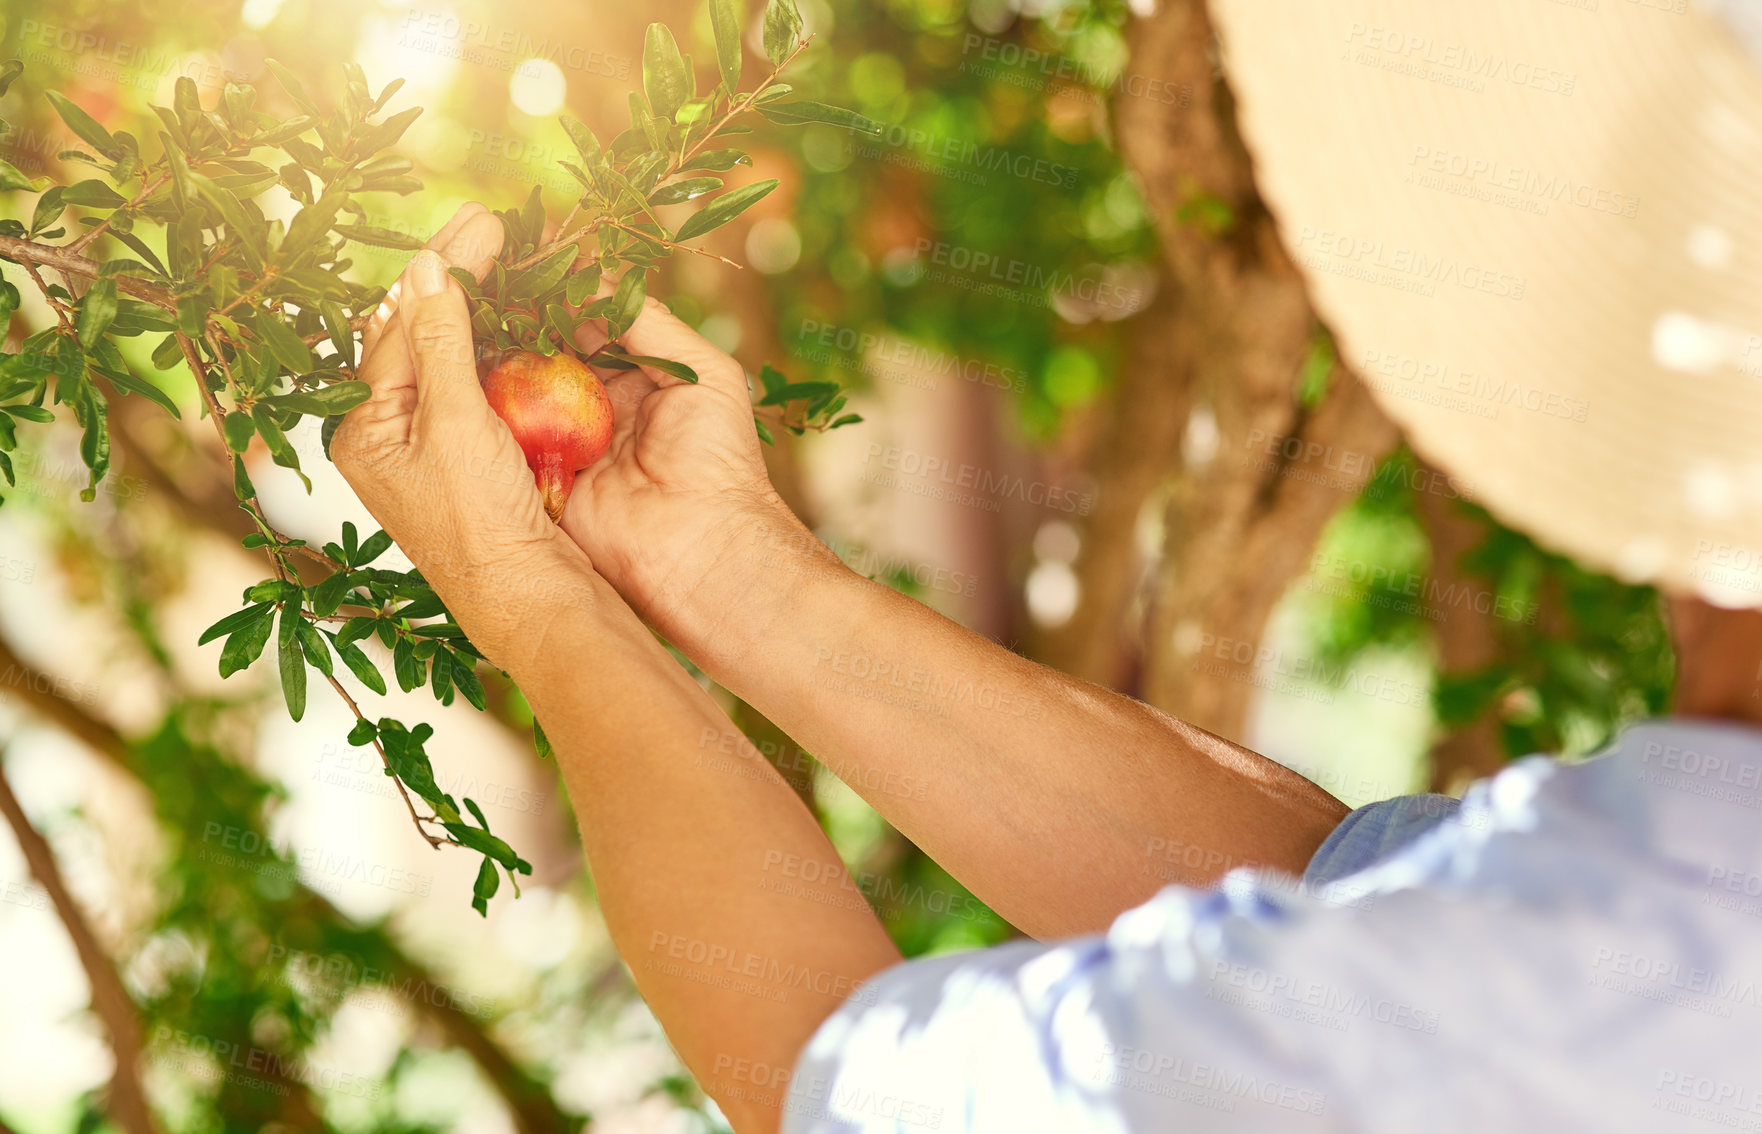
(686, 860)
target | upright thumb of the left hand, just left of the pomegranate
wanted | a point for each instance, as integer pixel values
(438, 330)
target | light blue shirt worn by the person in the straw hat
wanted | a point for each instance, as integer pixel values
(1569, 948)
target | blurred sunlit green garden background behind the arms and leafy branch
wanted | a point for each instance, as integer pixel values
(235, 897)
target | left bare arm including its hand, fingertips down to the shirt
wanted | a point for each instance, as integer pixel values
(737, 971)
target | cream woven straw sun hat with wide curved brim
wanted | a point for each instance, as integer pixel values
(1536, 228)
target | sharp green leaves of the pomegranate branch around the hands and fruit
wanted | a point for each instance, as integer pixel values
(263, 313)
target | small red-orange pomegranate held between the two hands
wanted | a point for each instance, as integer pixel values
(558, 411)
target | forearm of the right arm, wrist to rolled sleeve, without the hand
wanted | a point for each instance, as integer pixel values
(1051, 799)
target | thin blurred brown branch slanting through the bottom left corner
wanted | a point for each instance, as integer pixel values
(128, 1100)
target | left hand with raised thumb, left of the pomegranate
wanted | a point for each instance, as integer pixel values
(434, 464)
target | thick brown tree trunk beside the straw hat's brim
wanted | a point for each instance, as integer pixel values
(1259, 475)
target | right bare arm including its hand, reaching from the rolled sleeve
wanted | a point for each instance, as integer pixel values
(1051, 799)
